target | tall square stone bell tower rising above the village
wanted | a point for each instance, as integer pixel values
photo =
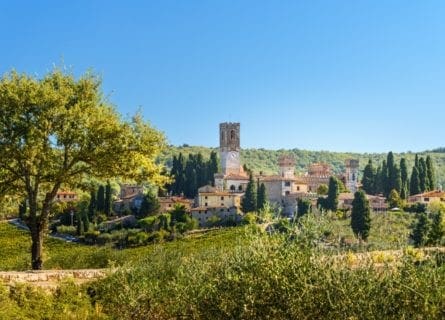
(229, 147)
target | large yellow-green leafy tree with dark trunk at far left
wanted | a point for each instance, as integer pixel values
(56, 130)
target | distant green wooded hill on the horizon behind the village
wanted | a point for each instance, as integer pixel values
(266, 160)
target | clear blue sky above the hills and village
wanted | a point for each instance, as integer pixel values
(343, 75)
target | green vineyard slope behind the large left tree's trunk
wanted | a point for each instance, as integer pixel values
(15, 247)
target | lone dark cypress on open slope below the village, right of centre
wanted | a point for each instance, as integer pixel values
(360, 216)
